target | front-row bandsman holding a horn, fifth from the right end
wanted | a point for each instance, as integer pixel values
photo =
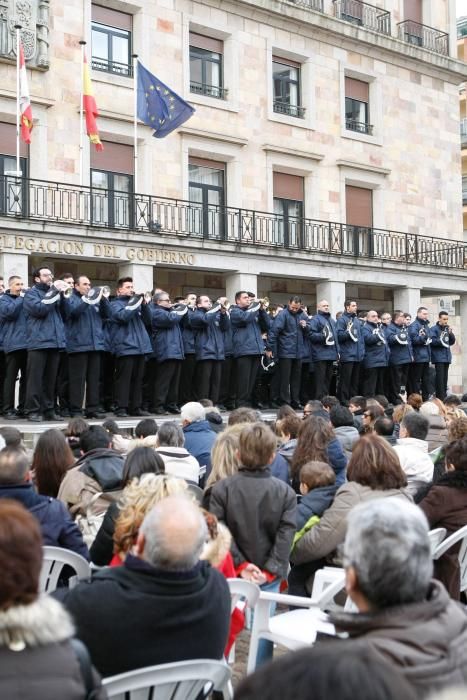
(352, 352)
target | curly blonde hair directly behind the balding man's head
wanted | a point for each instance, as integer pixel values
(138, 497)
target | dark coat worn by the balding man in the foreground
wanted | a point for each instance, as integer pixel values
(150, 616)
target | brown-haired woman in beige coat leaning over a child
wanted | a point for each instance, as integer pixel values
(373, 471)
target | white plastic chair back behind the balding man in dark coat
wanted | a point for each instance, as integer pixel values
(183, 680)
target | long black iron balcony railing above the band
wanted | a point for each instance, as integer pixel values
(86, 206)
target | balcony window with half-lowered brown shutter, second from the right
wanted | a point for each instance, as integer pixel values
(288, 207)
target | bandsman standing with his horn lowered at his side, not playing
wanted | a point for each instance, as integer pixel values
(286, 343)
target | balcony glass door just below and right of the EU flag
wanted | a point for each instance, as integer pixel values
(207, 197)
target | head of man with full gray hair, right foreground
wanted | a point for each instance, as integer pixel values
(388, 546)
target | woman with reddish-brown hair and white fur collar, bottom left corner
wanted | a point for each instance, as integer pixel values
(37, 660)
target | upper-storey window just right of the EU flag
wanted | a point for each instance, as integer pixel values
(206, 66)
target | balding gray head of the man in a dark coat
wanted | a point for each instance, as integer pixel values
(175, 532)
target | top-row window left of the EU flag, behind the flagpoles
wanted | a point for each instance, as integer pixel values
(111, 41)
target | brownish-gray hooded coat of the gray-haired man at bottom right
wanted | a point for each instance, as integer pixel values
(426, 642)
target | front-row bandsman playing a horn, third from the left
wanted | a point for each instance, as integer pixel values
(84, 343)
